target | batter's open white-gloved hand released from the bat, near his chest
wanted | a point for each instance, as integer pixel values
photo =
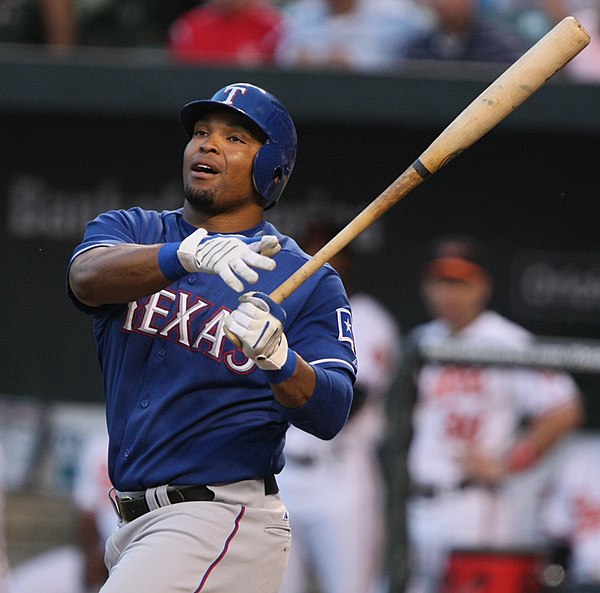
(230, 256)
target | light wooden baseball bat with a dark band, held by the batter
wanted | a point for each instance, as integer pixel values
(542, 61)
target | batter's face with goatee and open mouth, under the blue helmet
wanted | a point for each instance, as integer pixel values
(217, 163)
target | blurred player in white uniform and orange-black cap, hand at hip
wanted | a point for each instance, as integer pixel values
(469, 449)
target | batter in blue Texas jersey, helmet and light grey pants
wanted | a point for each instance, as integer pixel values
(196, 425)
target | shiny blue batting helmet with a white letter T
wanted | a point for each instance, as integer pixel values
(275, 160)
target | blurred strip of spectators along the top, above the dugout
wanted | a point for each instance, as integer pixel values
(365, 35)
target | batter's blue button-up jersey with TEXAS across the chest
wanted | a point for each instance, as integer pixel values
(184, 405)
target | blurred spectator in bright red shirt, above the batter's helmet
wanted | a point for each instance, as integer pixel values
(243, 32)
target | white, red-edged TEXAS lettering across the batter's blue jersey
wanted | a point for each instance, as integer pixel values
(171, 315)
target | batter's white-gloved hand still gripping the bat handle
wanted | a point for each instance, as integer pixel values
(258, 325)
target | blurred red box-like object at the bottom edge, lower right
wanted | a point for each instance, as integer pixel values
(494, 571)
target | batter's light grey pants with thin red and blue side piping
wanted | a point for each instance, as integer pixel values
(238, 543)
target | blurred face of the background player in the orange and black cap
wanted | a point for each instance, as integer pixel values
(455, 301)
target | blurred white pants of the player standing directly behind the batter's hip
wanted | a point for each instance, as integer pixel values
(335, 513)
